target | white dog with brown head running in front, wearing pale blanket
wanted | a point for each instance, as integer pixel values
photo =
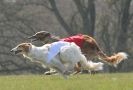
(63, 61)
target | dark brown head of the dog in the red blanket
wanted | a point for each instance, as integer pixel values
(42, 35)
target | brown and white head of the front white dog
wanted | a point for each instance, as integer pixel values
(22, 48)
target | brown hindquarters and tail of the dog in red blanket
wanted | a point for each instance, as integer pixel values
(91, 49)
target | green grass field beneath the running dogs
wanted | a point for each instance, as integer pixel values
(119, 81)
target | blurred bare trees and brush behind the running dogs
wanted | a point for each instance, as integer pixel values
(110, 22)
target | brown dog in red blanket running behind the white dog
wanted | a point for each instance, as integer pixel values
(88, 46)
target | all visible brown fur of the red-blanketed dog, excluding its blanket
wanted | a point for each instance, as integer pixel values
(90, 48)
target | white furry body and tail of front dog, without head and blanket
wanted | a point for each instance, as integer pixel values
(63, 62)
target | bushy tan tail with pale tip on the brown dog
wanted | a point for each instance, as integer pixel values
(114, 59)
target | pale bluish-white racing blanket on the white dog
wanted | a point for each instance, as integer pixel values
(55, 49)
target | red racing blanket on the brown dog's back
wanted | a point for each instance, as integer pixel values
(77, 39)
